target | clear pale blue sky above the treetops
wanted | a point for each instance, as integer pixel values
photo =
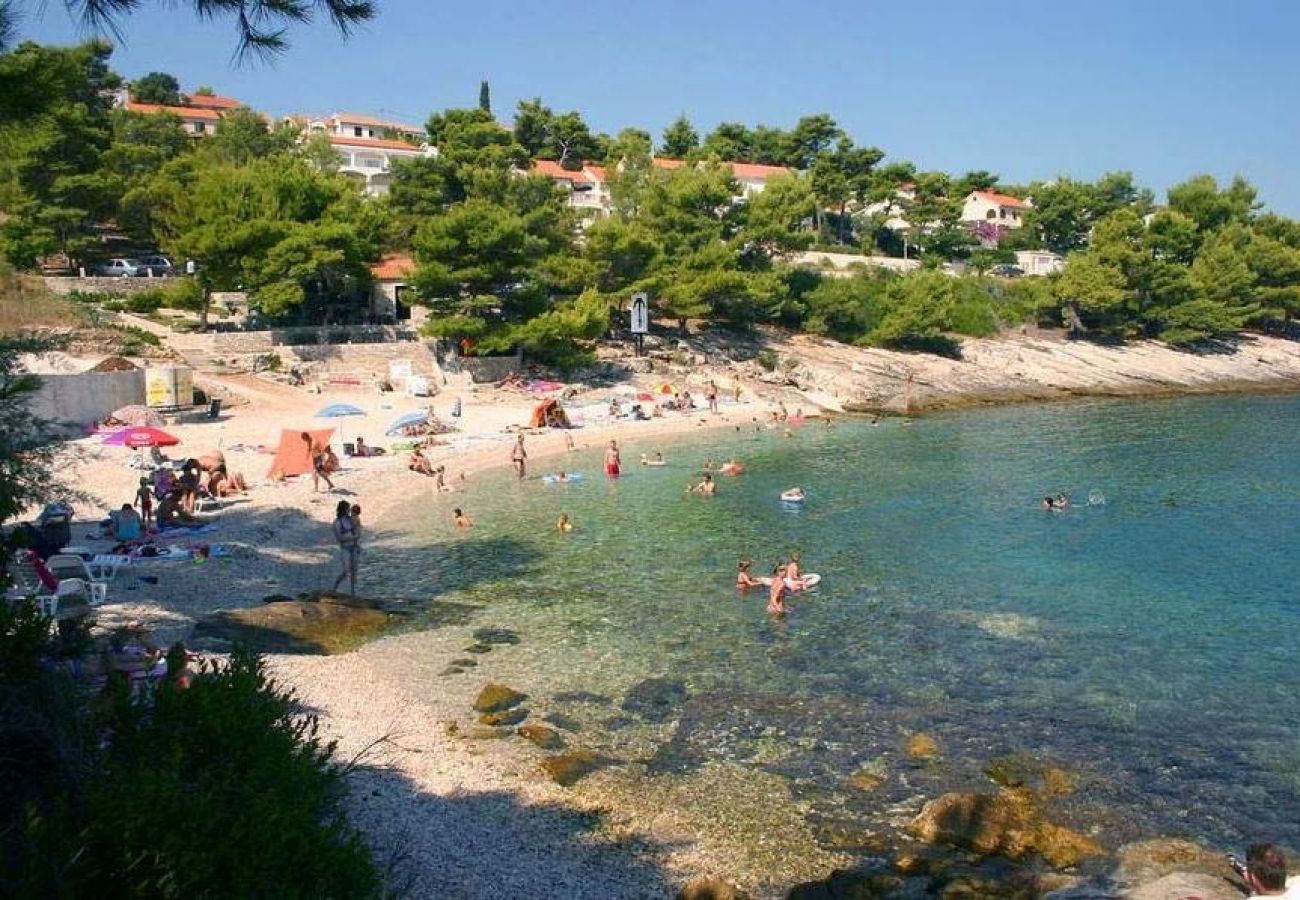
(1026, 89)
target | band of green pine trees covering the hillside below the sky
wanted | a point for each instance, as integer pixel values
(504, 259)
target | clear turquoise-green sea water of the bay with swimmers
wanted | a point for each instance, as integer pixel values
(1149, 642)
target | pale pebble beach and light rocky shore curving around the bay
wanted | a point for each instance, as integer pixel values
(463, 816)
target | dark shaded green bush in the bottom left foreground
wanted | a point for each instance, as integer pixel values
(218, 790)
